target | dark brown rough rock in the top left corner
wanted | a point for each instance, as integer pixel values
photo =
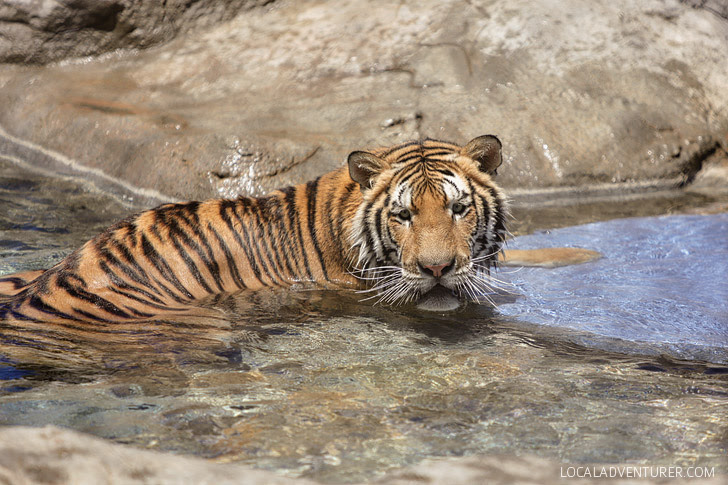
(42, 31)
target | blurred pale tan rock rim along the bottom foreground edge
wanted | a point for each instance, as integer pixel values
(52, 455)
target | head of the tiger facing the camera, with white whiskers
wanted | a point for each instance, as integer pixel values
(431, 214)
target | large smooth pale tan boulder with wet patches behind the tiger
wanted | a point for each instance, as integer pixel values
(599, 95)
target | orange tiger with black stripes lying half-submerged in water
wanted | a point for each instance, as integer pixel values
(395, 221)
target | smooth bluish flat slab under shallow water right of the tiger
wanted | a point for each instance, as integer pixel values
(659, 288)
